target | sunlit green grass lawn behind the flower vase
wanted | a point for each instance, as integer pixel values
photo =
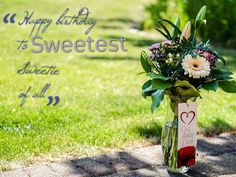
(101, 106)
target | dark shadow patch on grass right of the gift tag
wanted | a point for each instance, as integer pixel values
(217, 126)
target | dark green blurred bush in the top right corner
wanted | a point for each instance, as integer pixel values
(221, 19)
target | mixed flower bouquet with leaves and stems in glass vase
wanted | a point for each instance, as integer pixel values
(179, 68)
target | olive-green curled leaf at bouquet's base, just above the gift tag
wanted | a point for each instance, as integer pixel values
(186, 90)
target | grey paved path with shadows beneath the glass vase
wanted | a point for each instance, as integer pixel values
(216, 157)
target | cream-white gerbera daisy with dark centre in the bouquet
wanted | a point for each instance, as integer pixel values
(196, 67)
